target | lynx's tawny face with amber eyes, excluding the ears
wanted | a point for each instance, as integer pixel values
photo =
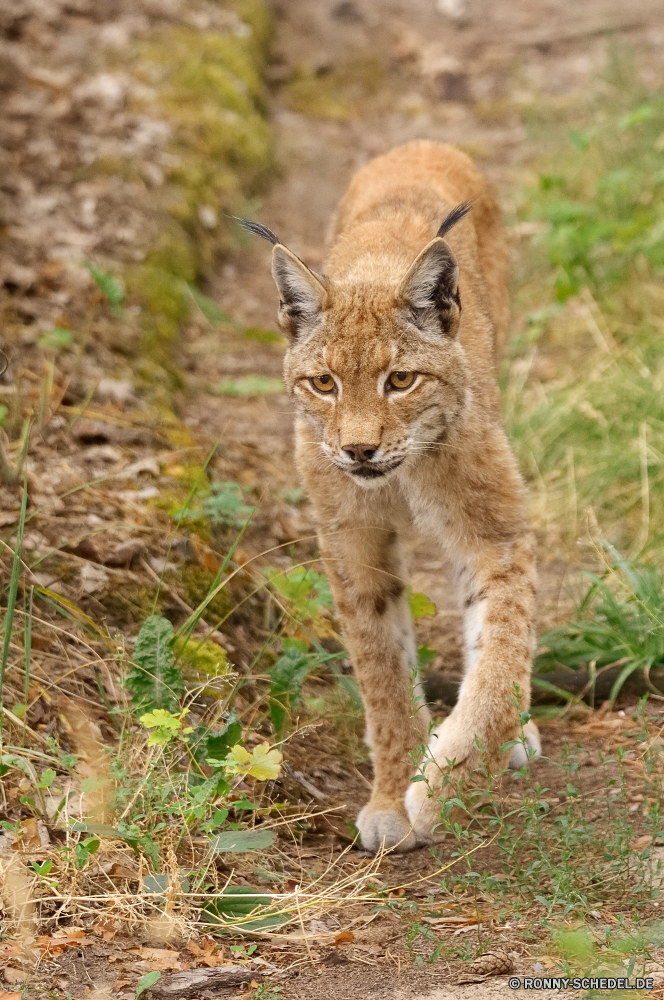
(376, 390)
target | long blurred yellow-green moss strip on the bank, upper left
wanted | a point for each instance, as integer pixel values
(208, 87)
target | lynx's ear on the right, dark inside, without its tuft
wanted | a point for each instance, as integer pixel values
(431, 288)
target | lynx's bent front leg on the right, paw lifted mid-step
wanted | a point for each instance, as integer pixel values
(498, 588)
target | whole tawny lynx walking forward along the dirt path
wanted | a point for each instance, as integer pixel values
(392, 366)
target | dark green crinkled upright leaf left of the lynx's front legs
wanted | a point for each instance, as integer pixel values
(155, 681)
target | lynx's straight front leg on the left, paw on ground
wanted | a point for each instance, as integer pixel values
(366, 573)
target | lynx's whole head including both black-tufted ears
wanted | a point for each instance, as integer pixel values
(373, 361)
